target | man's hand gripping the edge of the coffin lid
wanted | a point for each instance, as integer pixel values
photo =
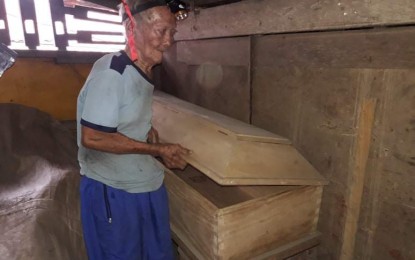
(172, 155)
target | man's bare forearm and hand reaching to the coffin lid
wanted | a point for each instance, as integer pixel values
(172, 154)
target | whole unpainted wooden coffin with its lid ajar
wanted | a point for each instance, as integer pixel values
(248, 192)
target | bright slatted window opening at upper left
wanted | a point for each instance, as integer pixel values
(45, 25)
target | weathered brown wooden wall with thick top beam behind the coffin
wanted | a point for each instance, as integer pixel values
(311, 87)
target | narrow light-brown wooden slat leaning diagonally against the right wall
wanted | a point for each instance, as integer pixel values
(356, 184)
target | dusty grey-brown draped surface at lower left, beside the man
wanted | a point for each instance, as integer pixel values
(39, 179)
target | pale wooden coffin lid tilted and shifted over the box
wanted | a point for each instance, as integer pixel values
(229, 151)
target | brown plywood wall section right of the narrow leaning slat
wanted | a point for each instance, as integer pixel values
(391, 215)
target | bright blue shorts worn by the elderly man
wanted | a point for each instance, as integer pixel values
(121, 225)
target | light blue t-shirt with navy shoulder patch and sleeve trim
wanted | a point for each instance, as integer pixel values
(117, 97)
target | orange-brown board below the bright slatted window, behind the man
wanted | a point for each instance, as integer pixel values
(45, 85)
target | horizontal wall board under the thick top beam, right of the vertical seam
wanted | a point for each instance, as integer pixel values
(383, 48)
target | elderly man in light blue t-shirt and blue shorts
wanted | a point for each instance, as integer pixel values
(124, 206)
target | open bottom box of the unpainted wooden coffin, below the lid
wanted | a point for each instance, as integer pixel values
(249, 225)
